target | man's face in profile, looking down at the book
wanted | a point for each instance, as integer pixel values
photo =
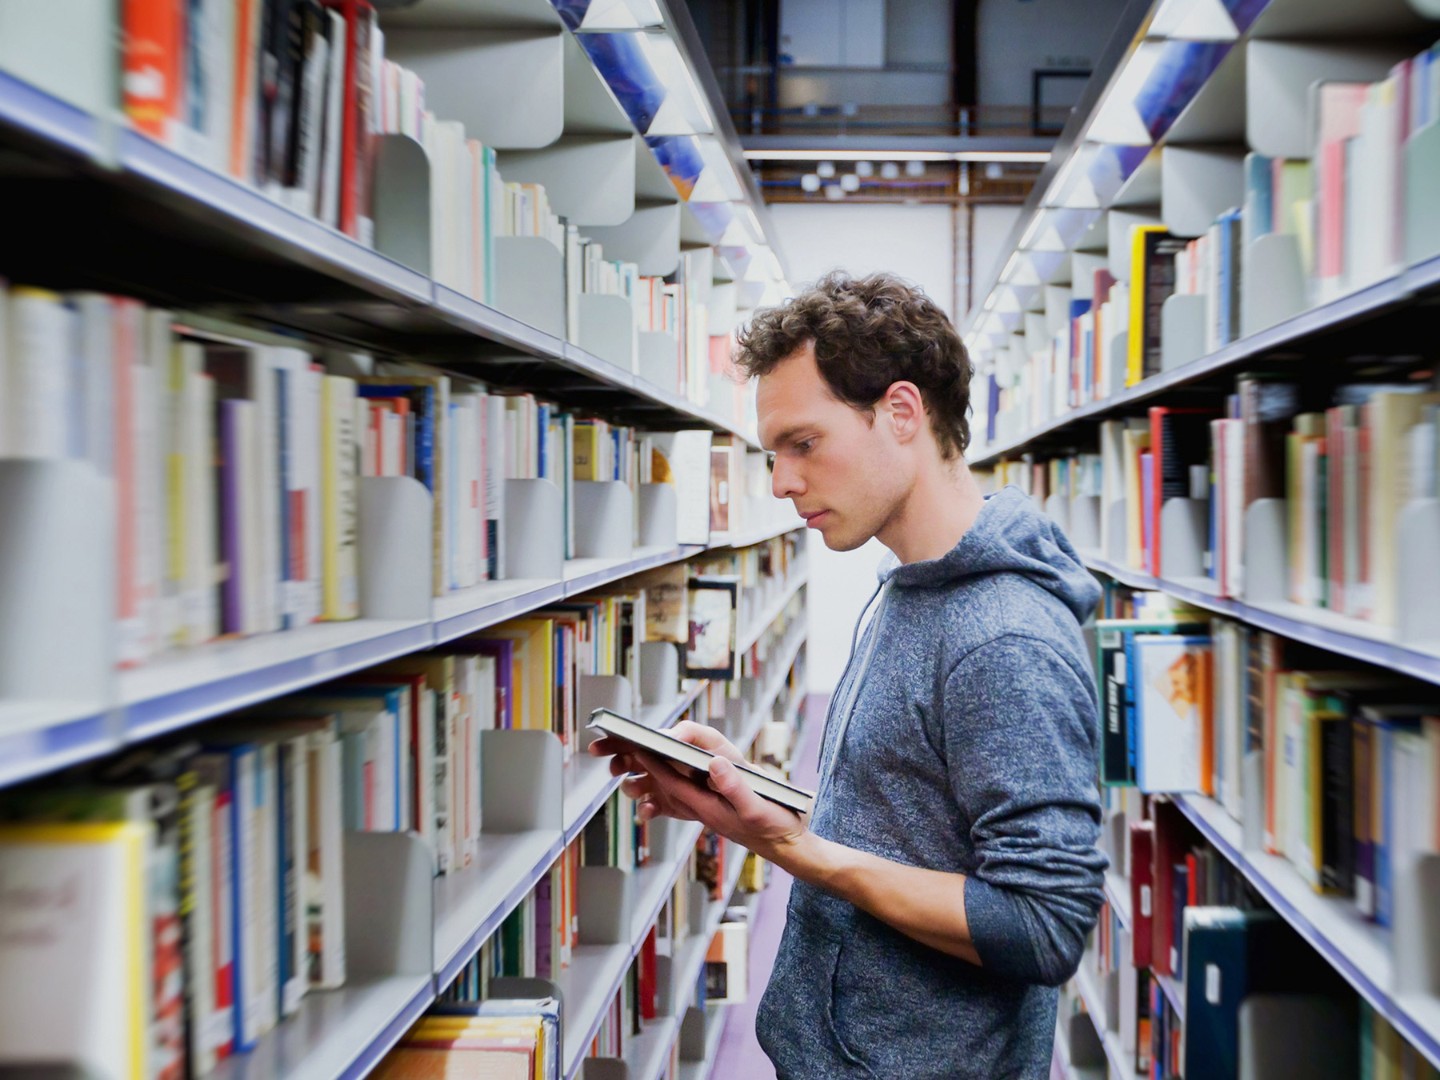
(842, 473)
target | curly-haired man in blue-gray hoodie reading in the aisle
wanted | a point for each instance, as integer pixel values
(948, 875)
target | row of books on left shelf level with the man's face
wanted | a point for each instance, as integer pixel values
(237, 462)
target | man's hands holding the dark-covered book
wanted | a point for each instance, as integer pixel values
(725, 804)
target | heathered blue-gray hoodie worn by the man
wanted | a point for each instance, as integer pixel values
(964, 737)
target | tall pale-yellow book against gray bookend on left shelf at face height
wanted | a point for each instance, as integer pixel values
(339, 500)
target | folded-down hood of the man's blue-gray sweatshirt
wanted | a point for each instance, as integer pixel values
(1010, 536)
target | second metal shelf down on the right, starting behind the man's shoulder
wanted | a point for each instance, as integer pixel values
(1349, 637)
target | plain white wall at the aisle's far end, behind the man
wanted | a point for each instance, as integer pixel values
(917, 244)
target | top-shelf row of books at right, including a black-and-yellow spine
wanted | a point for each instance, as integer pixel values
(1346, 210)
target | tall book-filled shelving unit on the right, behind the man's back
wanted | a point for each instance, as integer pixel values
(1197, 117)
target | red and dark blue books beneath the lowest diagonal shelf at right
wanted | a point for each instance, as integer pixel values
(1207, 983)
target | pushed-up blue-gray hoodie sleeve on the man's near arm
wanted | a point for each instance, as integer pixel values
(1022, 732)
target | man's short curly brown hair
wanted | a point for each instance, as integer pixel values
(870, 333)
